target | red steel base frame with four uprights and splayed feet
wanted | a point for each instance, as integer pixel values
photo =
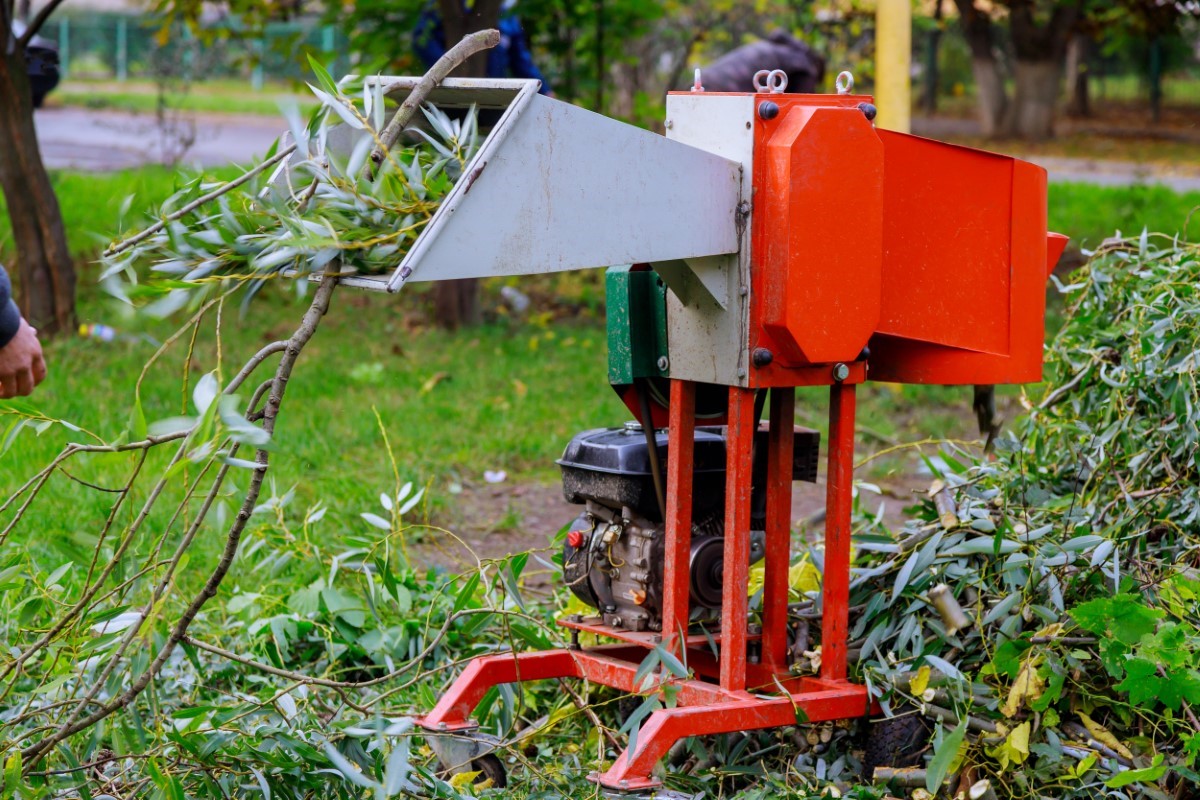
(721, 700)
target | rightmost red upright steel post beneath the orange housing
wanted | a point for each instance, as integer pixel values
(839, 494)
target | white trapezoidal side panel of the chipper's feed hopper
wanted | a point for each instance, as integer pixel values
(556, 188)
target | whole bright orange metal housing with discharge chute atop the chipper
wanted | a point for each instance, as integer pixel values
(935, 256)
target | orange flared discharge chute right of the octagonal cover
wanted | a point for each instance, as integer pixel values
(962, 315)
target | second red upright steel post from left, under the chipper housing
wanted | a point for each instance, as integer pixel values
(739, 449)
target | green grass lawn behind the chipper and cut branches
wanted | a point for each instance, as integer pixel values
(506, 396)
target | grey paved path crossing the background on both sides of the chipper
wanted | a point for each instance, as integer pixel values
(77, 139)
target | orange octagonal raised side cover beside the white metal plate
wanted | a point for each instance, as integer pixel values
(818, 236)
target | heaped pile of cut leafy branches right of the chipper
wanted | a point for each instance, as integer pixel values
(1045, 612)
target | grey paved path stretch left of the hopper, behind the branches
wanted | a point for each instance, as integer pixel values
(79, 139)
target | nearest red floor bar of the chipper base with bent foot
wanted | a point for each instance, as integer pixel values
(665, 727)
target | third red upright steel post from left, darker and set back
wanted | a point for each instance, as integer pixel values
(779, 528)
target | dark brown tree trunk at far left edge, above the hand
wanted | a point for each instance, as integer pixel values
(45, 273)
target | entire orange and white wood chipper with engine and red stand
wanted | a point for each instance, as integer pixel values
(769, 242)
